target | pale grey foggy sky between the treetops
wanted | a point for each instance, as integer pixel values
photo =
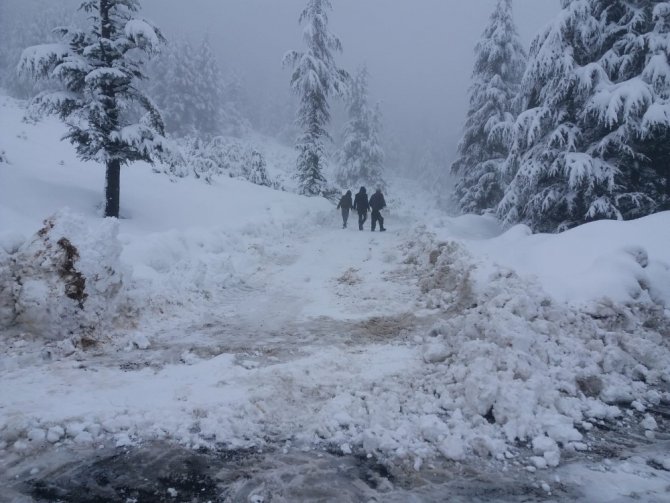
(419, 52)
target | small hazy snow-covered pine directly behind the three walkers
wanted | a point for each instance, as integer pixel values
(361, 156)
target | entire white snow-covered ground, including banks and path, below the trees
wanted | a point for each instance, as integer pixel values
(235, 316)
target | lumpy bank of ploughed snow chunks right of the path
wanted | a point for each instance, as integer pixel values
(508, 362)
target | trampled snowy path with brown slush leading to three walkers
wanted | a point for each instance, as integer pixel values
(332, 305)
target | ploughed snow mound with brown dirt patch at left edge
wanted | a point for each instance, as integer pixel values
(64, 282)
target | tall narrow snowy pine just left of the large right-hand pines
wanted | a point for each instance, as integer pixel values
(500, 60)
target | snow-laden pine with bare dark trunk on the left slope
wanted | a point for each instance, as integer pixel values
(98, 67)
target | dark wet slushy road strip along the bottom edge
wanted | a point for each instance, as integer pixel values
(167, 473)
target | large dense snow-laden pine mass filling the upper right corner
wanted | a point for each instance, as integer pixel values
(592, 141)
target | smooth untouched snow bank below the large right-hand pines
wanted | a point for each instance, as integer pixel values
(627, 262)
